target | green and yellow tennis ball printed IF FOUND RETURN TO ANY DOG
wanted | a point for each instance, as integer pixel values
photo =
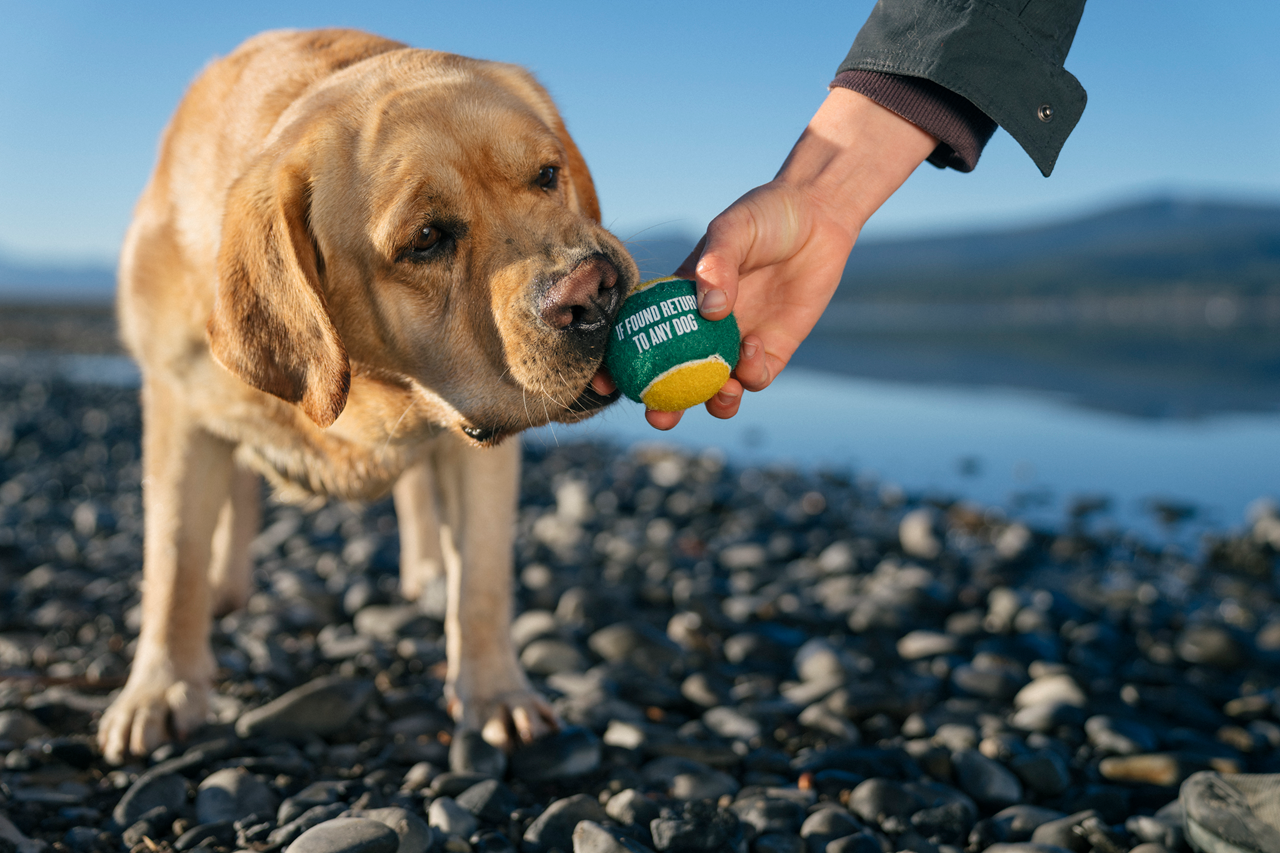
(666, 355)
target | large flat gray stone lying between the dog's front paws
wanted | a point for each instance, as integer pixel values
(321, 708)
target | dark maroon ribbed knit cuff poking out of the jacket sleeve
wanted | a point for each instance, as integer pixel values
(961, 129)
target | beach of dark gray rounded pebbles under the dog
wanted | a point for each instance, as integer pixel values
(758, 660)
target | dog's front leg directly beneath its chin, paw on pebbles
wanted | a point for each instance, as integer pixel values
(487, 687)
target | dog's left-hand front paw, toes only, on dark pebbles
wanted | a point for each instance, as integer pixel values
(153, 708)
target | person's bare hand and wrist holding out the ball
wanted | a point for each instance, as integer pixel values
(776, 256)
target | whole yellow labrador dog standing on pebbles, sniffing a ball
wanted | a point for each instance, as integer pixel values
(358, 268)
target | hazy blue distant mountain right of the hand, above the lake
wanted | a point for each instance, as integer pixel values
(1140, 248)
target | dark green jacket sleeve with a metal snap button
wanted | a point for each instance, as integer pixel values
(1003, 56)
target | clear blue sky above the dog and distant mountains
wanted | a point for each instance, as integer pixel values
(679, 107)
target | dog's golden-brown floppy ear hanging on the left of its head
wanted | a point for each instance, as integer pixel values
(271, 325)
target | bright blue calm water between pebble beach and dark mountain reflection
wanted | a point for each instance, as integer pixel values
(1032, 454)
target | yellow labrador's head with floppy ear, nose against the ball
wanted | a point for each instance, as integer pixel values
(422, 220)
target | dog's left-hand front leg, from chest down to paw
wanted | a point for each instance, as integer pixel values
(188, 481)
